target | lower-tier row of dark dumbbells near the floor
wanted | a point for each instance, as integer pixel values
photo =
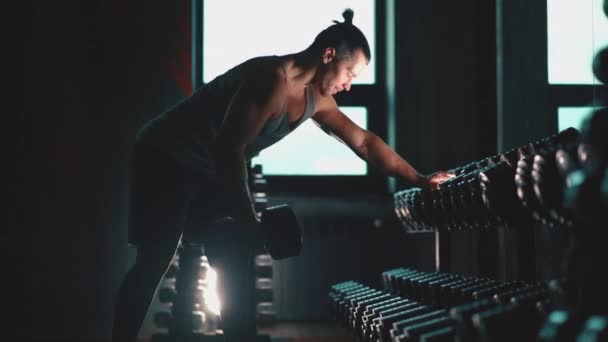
(433, 306)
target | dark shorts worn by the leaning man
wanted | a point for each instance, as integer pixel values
(167, 199)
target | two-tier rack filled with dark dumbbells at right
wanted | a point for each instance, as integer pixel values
(548, 182)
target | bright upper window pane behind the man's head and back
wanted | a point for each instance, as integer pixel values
(236, 30)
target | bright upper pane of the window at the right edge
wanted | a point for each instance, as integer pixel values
(576, 31)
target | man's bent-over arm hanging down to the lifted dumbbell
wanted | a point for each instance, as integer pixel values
(256, 100)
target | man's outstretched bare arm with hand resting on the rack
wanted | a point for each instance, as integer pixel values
(372, 149)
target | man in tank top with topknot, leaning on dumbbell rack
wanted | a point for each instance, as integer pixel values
(203, 144)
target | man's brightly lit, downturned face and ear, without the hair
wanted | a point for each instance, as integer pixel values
(338, 75)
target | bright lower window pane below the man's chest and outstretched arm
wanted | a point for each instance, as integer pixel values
(309, 151)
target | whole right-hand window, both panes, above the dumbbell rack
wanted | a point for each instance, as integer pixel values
(576, 32)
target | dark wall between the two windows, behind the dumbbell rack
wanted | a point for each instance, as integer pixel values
(446, 94)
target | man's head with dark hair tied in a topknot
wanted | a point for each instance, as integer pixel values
(344, 53)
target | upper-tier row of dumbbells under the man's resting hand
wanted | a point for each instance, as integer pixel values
(509, 188)
